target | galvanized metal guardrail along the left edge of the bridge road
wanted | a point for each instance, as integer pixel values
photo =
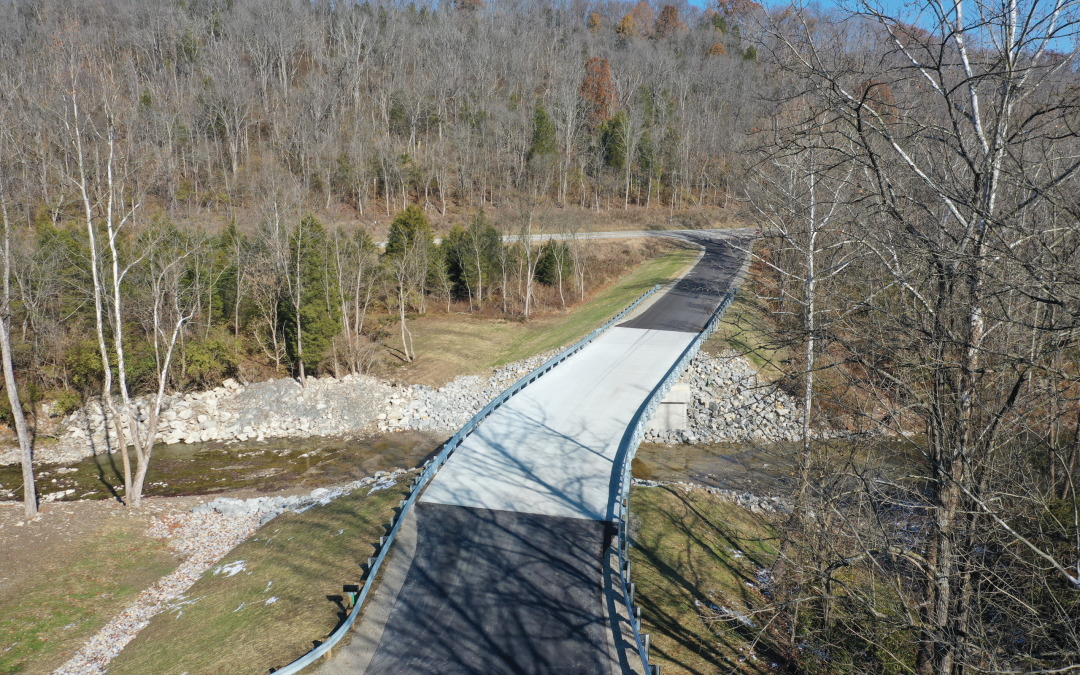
(429, 471)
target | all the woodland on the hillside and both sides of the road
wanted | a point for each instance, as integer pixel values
(188, 188)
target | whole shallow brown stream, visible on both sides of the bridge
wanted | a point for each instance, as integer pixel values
(204, 469)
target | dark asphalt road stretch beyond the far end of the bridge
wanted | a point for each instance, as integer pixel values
(688, 307)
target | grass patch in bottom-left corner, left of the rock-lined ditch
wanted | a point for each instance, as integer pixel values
(45, 623)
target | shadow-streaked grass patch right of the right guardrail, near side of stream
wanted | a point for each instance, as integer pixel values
(697, 562)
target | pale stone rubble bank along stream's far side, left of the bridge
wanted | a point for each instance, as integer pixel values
(327, 407)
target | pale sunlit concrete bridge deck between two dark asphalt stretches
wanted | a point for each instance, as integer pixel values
(551, 450)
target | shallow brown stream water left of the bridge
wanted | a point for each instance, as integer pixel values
(208, 468)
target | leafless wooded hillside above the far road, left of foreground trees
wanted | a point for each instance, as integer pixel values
(375, 105)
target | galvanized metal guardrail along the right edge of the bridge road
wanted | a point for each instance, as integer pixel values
(629, 448)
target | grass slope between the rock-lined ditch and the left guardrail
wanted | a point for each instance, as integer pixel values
(273, 599)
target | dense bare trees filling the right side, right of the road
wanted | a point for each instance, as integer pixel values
(921, 190)
